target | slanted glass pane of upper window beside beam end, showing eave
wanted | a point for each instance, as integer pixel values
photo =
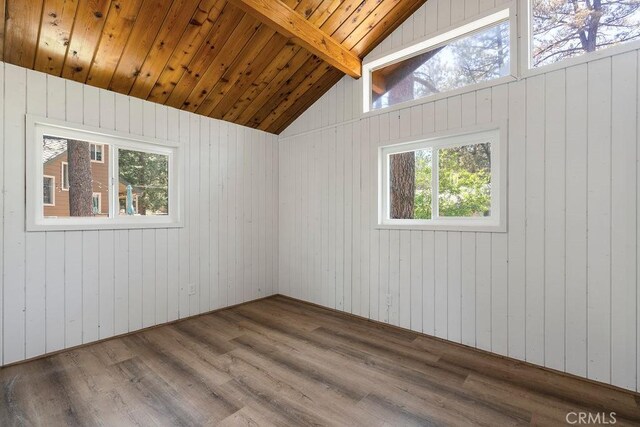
(476, 58)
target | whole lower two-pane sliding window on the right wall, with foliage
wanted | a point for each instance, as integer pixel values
(448, 182)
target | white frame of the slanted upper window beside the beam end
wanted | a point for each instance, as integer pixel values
(484, 20)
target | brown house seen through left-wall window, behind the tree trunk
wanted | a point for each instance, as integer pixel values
(56, 178)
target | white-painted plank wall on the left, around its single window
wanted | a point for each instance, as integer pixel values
(62, 289)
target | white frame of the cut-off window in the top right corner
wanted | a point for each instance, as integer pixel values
(526, 57)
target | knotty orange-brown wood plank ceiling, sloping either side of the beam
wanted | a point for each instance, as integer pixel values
(210, 57)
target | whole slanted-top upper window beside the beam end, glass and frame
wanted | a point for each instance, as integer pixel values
(477, 52)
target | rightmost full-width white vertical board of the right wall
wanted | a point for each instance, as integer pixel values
(623, 219)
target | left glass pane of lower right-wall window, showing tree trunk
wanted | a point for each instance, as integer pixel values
(410, 185)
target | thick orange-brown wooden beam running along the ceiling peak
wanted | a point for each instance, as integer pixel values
(287, 22)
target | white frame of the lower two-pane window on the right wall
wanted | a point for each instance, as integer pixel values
(496, 222)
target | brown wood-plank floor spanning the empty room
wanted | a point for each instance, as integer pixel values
(283, 362)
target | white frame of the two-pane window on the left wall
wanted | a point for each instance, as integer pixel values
(37, 127)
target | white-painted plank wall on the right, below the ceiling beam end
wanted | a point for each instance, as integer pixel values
(558, 290)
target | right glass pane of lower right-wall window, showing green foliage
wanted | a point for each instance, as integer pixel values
(464, 181)
